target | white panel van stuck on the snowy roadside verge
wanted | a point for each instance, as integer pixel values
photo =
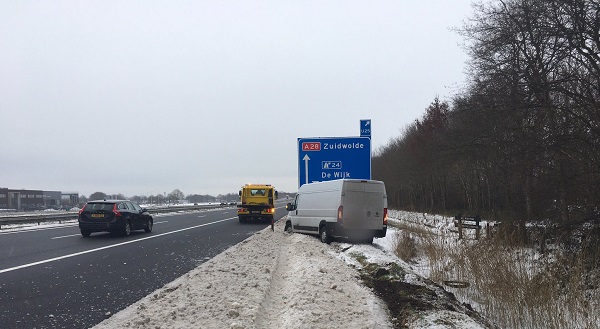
(349, 208)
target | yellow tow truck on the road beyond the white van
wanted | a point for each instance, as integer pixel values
(257, 202)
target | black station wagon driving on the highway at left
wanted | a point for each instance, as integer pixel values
(117, 216)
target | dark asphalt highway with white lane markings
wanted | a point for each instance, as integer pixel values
(55, 278)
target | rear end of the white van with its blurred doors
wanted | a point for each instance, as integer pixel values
(363, 203)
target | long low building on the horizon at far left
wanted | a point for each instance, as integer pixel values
(34, 199)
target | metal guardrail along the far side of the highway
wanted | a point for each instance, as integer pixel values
(33, 218)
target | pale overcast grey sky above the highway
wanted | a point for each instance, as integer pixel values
(143, 97)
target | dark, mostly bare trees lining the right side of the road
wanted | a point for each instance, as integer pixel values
(522, 138)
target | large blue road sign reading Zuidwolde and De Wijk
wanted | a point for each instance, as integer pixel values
(324, 159)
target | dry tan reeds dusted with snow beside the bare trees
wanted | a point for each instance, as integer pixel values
(514, 285)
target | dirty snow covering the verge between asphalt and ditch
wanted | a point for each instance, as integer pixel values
(278, 280)
